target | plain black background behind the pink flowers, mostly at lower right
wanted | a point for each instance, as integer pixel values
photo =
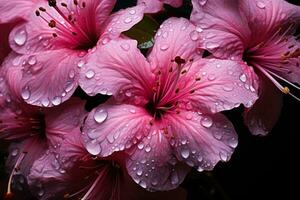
(260, 168)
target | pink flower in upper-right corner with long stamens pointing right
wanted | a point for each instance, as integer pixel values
(260, 32)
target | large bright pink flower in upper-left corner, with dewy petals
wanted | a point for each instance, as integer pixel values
(56, 40)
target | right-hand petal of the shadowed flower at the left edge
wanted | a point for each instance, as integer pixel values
(63, 120)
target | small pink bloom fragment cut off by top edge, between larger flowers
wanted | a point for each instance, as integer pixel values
(153, 6)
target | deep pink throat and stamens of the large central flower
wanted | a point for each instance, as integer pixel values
(171, 87)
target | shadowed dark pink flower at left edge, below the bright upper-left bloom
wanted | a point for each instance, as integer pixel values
(34, 130)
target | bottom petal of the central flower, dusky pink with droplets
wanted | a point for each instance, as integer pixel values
(152, 164)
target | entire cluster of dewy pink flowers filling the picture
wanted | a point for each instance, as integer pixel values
(163, 116)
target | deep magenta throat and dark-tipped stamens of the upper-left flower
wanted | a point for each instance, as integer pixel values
(66, 22)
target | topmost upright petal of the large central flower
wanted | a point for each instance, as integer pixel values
(176, 37)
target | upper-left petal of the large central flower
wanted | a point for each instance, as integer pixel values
(117, 68)
